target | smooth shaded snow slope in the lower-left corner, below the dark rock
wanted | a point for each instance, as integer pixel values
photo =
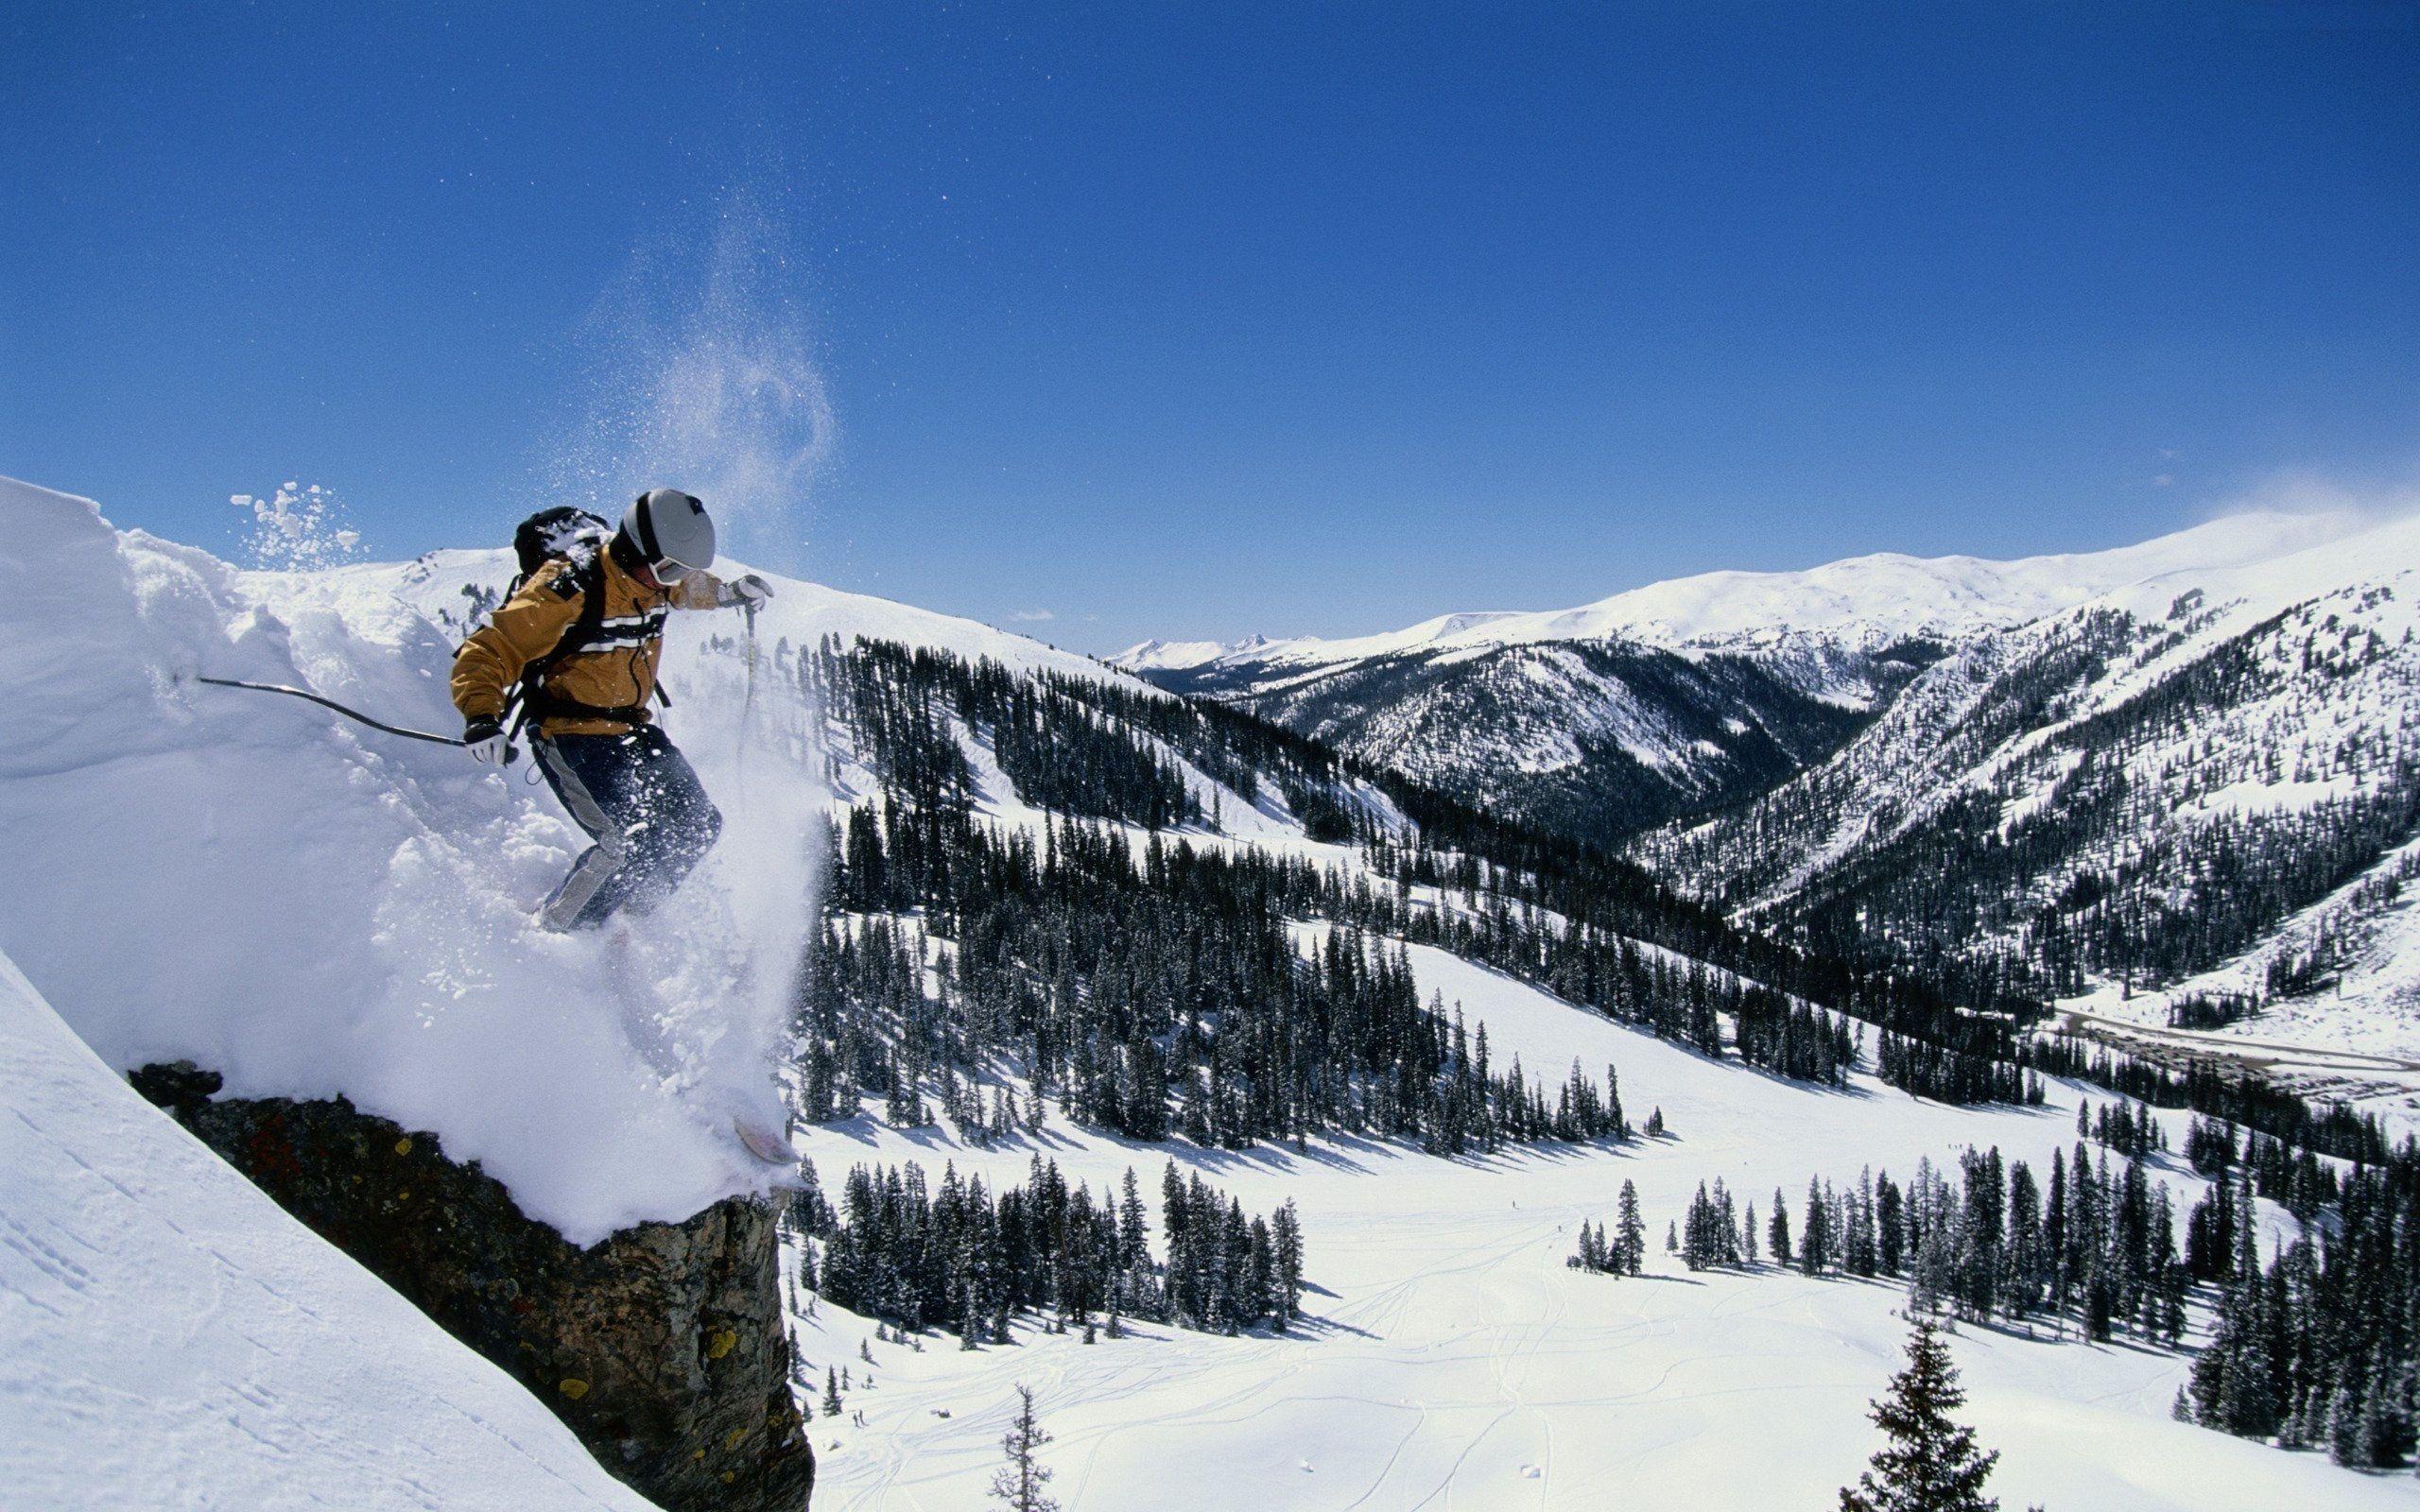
(171, 1339)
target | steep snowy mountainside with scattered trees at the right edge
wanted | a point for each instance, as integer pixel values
(2203, 783)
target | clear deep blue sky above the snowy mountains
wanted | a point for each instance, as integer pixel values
(1197, 321)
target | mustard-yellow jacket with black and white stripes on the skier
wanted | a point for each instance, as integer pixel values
(613, 671)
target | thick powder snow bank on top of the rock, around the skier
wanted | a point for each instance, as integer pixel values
(311, 908)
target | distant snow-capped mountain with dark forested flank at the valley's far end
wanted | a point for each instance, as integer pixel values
(1686, 696)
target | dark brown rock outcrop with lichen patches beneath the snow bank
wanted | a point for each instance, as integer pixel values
(662, 1346)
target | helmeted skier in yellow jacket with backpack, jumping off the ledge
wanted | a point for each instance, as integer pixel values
(580, 640)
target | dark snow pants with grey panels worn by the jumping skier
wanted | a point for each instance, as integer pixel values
(645, 812)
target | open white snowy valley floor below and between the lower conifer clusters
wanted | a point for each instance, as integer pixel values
(1453, 1361)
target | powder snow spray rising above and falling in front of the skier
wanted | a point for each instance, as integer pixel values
(701, 376)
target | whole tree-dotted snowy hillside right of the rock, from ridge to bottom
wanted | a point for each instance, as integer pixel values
(1049, 1003)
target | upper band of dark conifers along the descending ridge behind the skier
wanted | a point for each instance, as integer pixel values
(1574, 921)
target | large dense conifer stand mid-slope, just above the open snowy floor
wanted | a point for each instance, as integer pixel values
(1151, 993)
